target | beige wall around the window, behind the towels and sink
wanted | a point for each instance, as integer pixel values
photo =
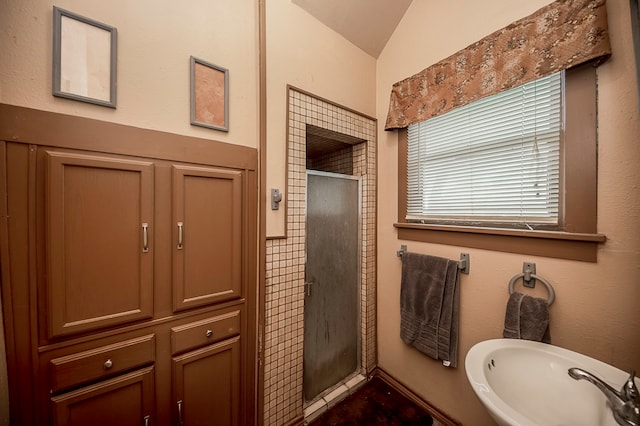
(596, 310)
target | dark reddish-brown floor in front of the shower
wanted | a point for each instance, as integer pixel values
(375, 403)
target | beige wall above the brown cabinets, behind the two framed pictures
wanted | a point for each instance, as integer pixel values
(155, 40)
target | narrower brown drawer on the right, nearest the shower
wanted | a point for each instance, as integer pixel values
(200, 333)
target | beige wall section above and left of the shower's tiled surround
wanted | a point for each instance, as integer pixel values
(306, 54)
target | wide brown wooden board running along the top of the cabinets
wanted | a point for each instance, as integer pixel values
(19, 124)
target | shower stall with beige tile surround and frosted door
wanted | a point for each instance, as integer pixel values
(309, 361)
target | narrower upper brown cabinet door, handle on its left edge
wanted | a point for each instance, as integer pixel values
(207, 236)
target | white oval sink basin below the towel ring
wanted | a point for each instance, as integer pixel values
(524, 383)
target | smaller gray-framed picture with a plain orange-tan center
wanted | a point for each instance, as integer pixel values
(209, 95)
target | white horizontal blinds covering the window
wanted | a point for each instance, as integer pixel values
(494, 160)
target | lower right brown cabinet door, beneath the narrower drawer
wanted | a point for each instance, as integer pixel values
(207, 385)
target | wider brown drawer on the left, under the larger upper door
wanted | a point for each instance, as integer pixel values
(98, 363)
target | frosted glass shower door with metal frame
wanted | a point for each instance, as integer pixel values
(331, 310)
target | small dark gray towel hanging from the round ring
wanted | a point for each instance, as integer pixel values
(527, 318)
